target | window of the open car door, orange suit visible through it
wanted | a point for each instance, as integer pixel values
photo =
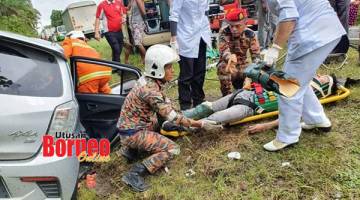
(104, 79)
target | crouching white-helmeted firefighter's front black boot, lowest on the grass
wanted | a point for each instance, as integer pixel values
(135, 177)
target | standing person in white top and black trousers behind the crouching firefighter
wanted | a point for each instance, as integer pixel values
(190, 33)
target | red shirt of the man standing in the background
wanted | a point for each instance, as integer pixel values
(113, 14)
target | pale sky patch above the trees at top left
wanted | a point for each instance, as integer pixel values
(46, 6)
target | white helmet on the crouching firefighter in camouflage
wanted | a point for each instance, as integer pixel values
(157, 56)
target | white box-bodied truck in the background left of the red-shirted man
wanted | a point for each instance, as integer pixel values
(80, 16)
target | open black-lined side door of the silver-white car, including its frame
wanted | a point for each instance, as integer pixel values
(99, 112)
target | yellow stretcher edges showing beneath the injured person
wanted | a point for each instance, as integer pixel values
(342, 93)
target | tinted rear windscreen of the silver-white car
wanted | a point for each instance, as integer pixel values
(28, 72)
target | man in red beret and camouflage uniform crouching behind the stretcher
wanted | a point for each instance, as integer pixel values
(234, 42)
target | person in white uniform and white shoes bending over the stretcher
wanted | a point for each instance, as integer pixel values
(312, 30)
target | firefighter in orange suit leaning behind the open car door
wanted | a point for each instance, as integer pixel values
(91, 78)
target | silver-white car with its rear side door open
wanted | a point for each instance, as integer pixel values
(38, 97)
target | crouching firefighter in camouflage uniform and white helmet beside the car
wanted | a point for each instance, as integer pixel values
(138, 118)
